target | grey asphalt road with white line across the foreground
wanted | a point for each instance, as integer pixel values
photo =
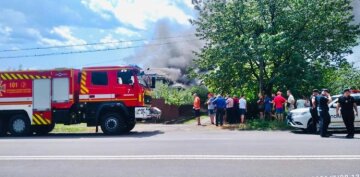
(180, 151)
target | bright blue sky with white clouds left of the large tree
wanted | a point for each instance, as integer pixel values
(47, 23)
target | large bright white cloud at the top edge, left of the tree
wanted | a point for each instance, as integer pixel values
(138, 13)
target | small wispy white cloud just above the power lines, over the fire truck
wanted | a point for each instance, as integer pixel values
(65, 33)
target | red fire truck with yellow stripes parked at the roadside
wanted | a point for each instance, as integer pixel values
(111, 97)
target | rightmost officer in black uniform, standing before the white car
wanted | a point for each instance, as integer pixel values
(347, 105)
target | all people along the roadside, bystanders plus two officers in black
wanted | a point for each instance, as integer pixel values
(233, 109)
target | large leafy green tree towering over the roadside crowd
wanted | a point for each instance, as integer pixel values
(263, 45)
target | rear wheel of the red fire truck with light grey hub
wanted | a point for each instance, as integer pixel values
(19, 125)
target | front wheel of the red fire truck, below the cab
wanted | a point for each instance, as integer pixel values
(112, 124)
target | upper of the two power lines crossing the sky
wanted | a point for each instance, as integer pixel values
(92, 44)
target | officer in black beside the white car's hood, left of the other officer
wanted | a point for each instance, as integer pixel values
(322, 103)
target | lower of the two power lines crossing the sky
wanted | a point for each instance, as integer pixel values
(91, 51)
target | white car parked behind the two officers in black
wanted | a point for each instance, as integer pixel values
(301, 118)
